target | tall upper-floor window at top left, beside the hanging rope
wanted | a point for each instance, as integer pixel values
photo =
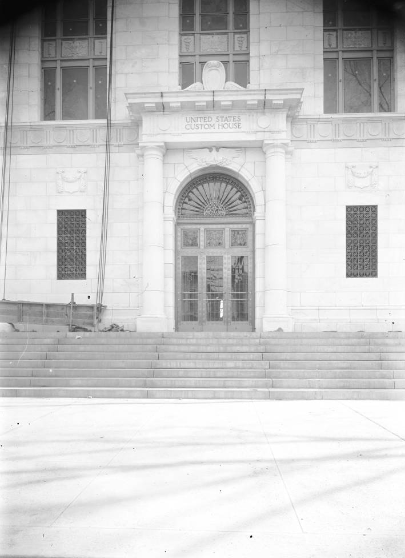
(74, 65)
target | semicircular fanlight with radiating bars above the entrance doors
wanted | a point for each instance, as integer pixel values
(214, 196)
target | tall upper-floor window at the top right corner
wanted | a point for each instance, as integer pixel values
(358, 57)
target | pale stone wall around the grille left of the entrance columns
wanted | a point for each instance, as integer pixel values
(35, 197)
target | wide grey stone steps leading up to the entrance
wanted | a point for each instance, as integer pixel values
(203, 365)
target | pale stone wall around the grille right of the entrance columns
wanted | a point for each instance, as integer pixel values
(318, 192)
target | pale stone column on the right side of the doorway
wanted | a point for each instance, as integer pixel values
(275, 278)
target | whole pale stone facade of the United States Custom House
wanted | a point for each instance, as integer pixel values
(257, 164)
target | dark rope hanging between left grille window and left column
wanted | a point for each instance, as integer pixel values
(106, 189)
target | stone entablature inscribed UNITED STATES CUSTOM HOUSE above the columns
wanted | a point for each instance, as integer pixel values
(237, 117)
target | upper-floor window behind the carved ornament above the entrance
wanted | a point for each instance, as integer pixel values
(214, 30)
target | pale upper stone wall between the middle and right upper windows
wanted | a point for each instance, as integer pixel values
(287, 48)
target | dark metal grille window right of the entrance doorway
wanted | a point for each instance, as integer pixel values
(361, 241)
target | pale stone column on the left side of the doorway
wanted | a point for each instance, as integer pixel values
(153, 292)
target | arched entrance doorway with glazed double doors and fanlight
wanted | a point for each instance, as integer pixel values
(214, 256)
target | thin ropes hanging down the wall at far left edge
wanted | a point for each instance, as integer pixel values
(5, 176)
